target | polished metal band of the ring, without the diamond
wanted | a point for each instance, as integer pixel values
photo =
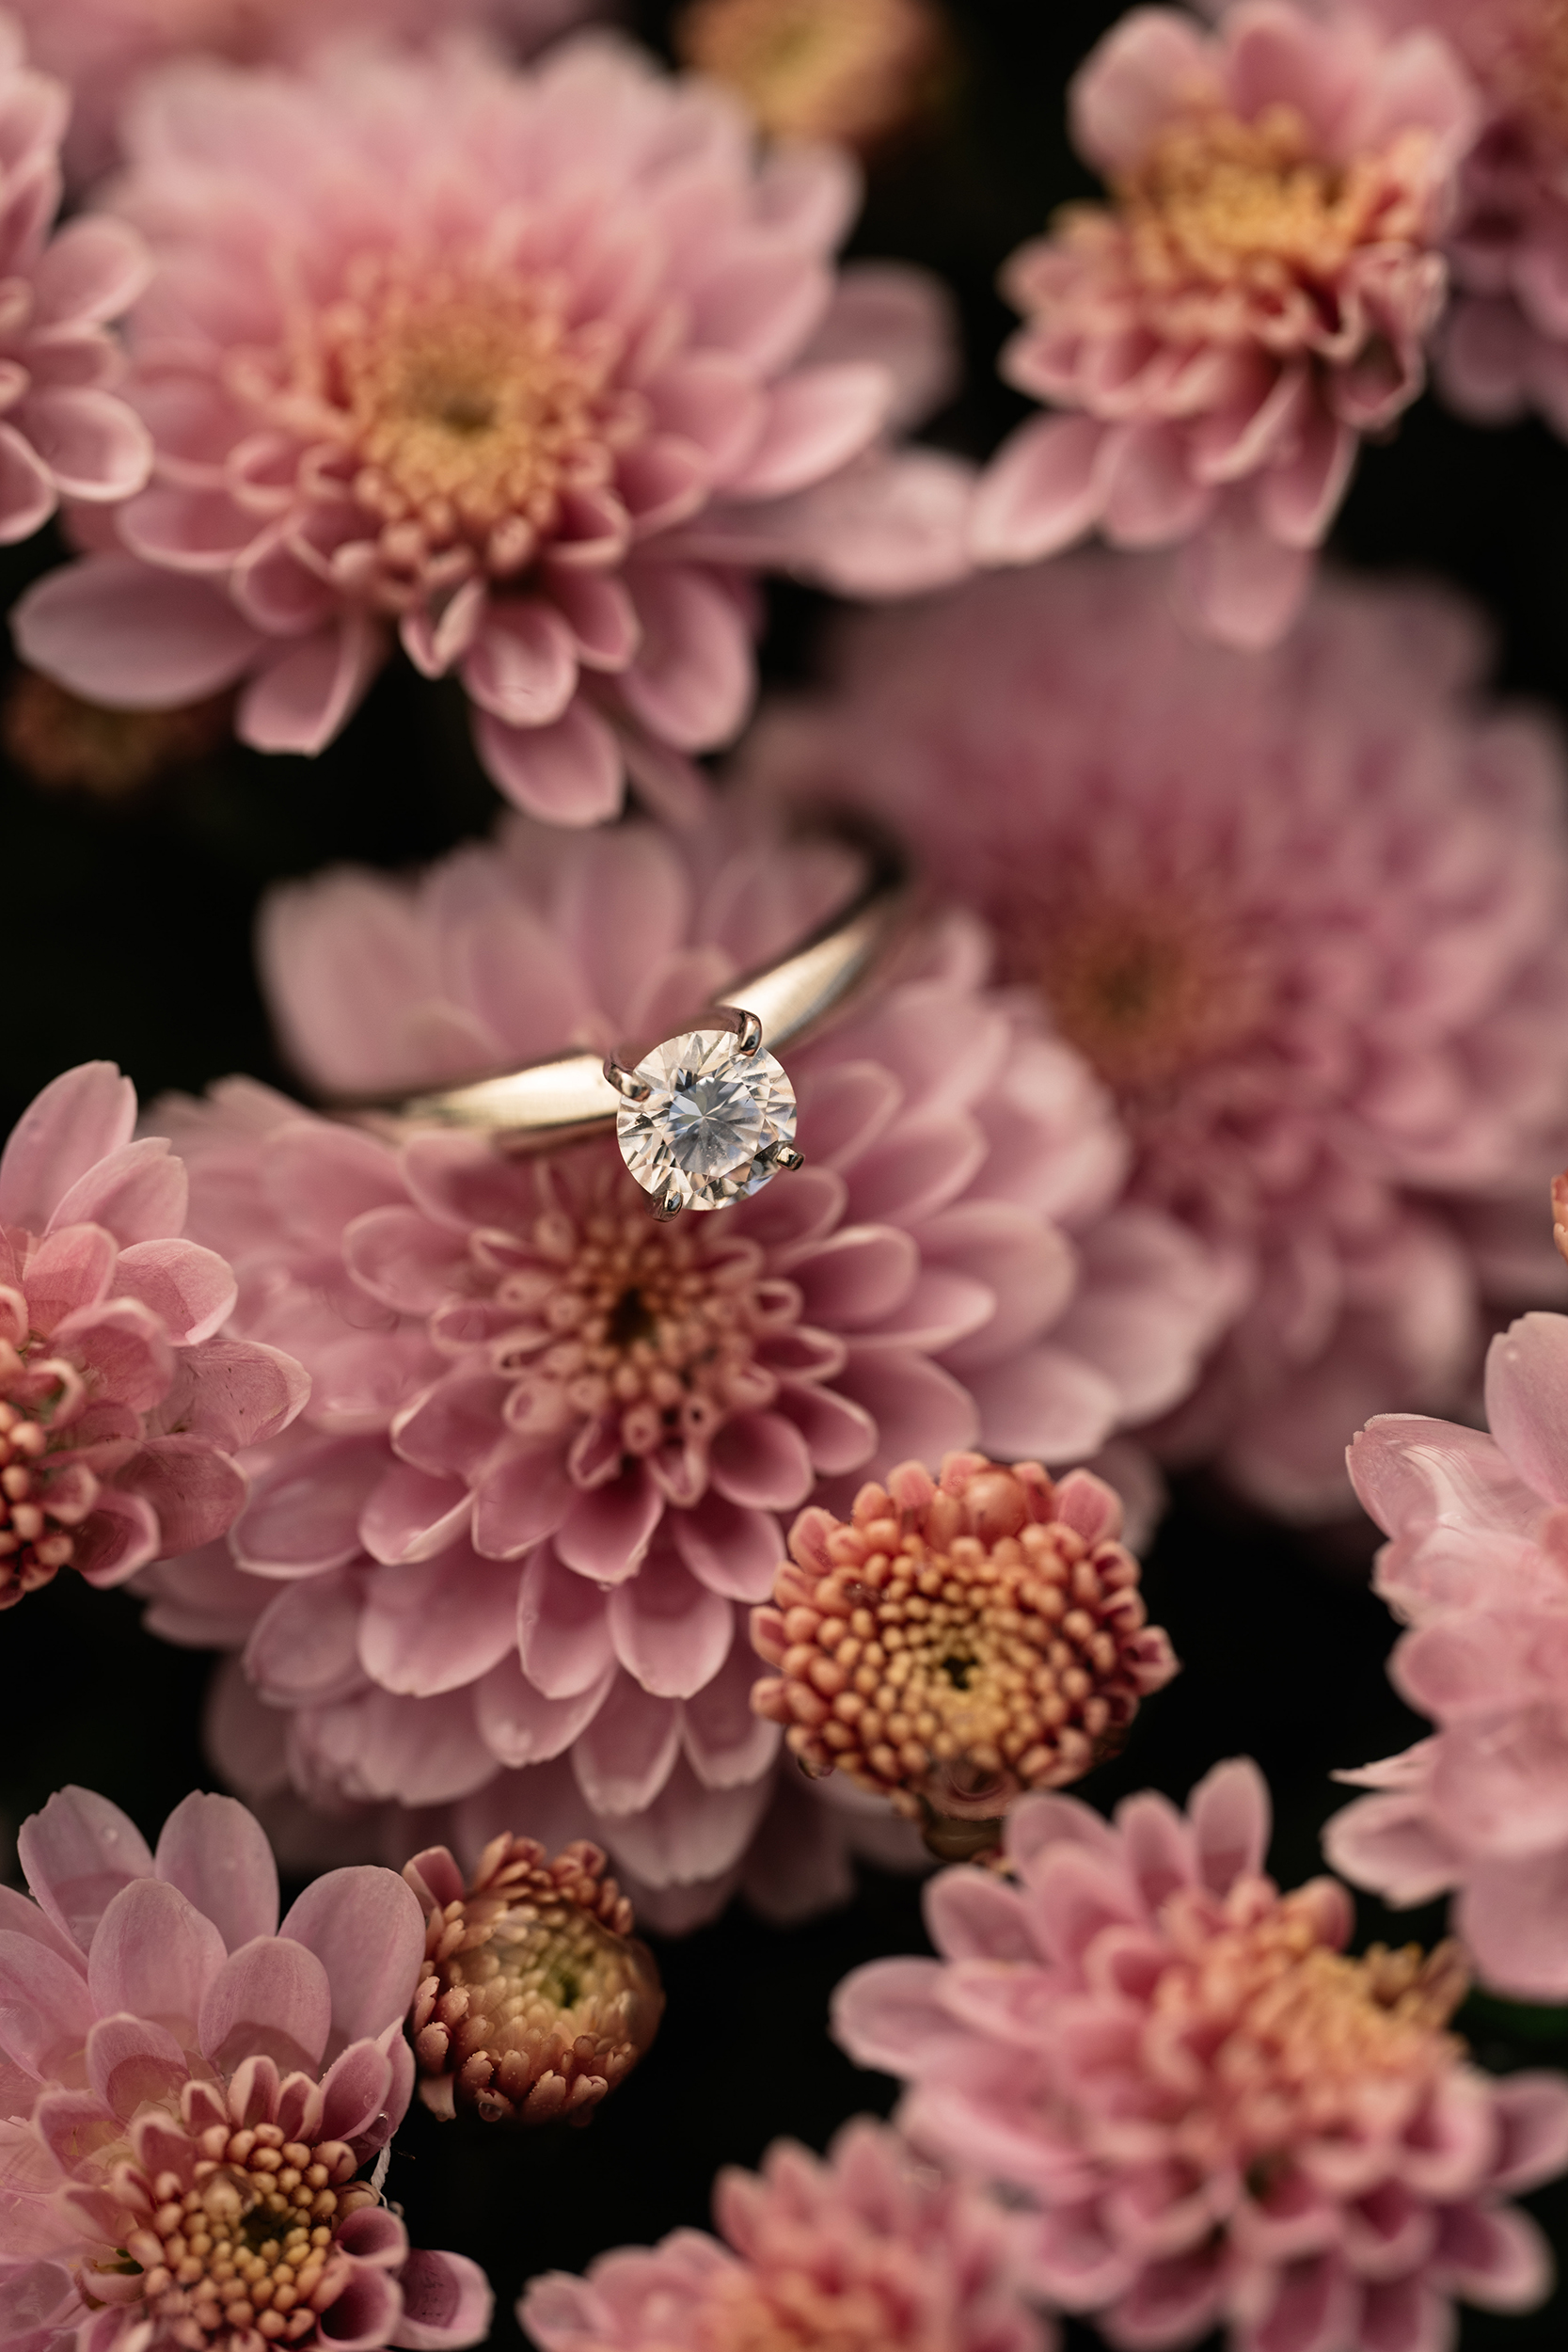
(561, 1102)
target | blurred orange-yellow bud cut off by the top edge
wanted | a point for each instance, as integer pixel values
(819, 69)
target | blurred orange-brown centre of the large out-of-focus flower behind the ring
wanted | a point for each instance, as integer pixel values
(1148, 991)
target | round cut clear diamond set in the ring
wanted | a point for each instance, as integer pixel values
(713, 1121)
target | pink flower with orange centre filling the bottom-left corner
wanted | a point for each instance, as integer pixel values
(189, 2092)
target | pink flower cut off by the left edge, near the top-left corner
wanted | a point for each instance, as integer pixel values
(65, 434)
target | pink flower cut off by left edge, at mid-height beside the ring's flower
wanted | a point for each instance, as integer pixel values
(121, 1405)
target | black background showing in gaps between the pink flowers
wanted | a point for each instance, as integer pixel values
(128, 933)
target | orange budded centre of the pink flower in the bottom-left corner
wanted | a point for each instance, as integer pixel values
(248, 2250)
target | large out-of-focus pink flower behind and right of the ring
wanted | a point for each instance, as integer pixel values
(1308, 914)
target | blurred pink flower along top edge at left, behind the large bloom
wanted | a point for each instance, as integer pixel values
(100, 48)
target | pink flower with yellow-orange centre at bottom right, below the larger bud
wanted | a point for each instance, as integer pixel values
(1214, 2113)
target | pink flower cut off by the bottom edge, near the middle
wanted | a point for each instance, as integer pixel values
(864, 2250)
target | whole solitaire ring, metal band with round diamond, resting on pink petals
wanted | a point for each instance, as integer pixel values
(704, 1116)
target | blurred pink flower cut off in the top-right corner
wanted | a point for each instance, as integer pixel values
(1506, 340)
